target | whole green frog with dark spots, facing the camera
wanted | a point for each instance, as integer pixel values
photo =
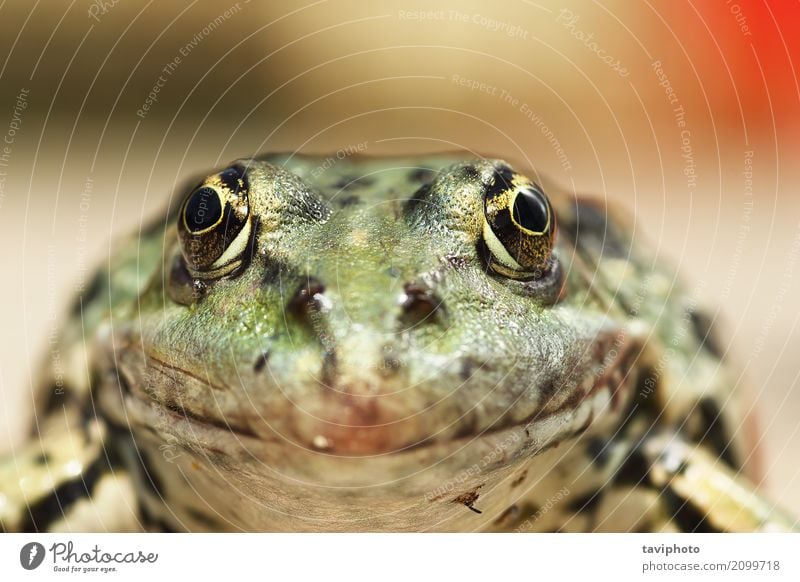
(440, 342)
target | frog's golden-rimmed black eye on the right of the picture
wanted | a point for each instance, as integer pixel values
(519, 227)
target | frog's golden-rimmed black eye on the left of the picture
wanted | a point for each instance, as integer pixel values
(214, 224)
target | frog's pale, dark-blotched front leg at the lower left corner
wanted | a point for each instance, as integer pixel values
(66, 479)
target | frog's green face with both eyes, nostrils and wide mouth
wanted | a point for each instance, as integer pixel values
(371, 308)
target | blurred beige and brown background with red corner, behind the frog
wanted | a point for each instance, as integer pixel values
(686, 113)
